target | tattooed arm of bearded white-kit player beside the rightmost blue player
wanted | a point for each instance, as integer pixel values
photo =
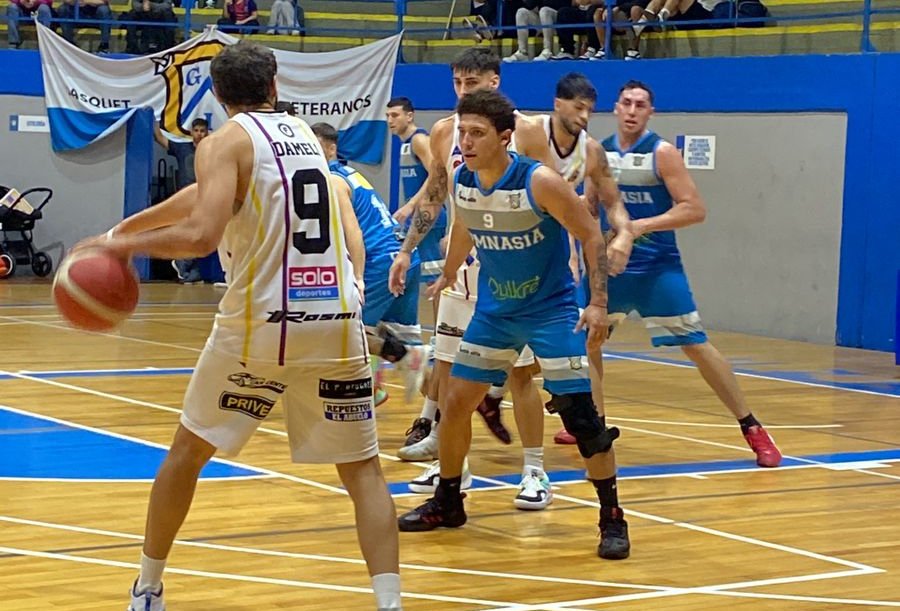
(601, 188)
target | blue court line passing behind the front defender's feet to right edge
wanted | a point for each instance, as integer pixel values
(575, 475)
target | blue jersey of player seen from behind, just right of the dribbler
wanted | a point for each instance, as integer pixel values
(381, 233)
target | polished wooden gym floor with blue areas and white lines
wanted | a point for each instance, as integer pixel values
(85, 418)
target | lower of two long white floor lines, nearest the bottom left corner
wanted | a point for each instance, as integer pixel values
(253, 579)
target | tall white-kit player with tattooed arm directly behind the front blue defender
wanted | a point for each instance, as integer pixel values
(476, 68)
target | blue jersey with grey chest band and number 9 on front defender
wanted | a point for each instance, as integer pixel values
(523, 251)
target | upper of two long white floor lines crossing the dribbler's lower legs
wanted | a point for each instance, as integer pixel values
(338, 559)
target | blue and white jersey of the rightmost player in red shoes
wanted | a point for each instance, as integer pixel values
(645, 195)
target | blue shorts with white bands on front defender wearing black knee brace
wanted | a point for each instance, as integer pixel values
(491, 344)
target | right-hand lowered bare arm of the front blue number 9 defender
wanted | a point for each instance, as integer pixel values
(554, 195)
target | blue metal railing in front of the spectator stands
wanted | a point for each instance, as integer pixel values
(189, 24)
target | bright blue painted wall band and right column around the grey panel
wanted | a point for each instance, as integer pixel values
(863, 86)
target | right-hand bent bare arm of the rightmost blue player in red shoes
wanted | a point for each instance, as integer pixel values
(687, 204)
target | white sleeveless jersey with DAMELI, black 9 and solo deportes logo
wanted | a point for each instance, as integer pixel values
(291, 294)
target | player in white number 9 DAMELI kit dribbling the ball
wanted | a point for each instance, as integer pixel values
(288, 325)
